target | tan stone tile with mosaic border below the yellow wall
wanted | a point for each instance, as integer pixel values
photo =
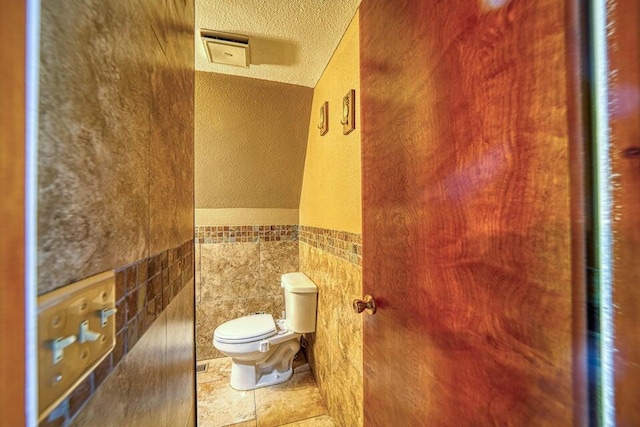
(331, 259)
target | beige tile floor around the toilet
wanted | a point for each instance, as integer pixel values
(295, 403)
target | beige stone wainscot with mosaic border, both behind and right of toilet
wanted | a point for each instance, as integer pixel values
(236, 278)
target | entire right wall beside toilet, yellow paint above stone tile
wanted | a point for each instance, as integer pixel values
(331, 201)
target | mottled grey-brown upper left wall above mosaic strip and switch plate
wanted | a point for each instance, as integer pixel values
(116, 135)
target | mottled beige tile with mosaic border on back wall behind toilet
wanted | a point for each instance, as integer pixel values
(238, 272)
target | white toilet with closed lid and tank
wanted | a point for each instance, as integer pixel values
(261, 348)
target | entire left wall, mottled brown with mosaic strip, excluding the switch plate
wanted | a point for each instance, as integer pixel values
(116, 188)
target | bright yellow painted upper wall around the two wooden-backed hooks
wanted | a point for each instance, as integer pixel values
(331, 185)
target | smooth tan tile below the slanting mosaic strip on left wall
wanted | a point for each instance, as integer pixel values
(154, 384)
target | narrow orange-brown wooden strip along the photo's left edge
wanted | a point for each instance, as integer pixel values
(12, 132)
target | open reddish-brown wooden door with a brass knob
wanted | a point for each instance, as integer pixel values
(468, 216)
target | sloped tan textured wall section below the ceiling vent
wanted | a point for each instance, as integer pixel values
(251, 138)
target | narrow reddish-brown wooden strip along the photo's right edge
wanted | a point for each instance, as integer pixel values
(624, 63)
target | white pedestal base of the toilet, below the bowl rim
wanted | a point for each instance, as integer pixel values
(275, 369)
